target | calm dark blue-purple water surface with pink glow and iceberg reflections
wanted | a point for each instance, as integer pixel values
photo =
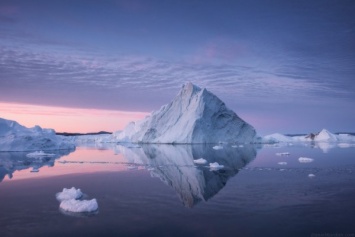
(158, 191)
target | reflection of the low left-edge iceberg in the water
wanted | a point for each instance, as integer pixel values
(16, 161)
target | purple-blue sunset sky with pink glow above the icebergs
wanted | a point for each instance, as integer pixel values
(90, 65)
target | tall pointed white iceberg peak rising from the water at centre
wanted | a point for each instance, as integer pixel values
(194, 116)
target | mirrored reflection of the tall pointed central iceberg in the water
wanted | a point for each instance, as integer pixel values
(175, 167)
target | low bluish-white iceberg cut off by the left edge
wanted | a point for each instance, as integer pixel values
(15, 137)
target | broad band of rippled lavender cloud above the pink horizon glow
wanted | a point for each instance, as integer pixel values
(122, 82)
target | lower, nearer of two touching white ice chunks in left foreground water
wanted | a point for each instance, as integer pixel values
(73, 205)
